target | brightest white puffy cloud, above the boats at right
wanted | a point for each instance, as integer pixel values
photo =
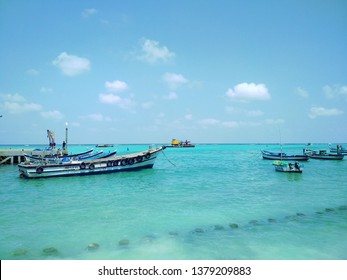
(248, 92)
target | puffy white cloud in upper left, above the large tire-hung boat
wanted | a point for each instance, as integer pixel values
(71, 65)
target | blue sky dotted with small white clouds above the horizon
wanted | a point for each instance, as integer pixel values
(223, 71)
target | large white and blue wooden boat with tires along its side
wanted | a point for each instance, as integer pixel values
(112, 164)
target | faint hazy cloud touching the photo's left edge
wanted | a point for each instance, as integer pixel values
(17, 104)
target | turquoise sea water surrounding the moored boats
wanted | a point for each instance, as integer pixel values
(211, 202)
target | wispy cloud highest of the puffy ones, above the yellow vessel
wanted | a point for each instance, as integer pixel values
(152, 52)
